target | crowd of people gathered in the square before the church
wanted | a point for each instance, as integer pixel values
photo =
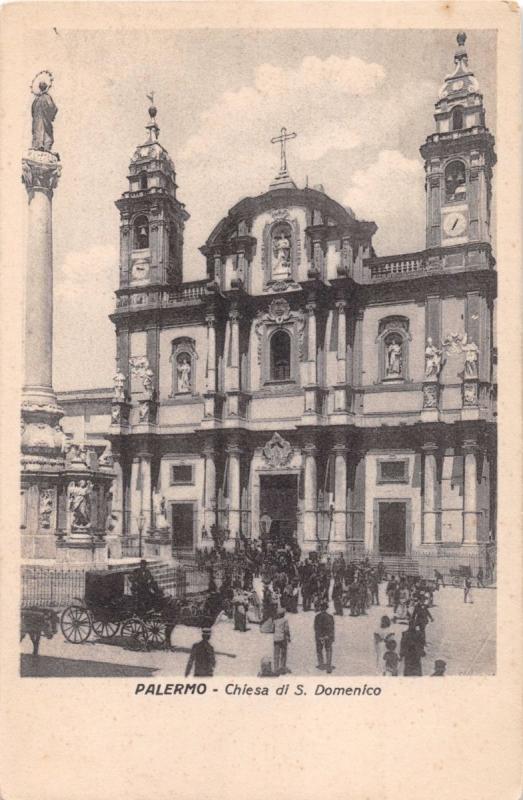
(290, 583)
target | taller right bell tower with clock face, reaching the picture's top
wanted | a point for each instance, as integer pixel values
(459, 158)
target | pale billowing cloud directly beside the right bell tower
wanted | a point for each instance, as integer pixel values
(391, 192)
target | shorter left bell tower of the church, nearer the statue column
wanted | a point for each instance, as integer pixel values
(152, 219)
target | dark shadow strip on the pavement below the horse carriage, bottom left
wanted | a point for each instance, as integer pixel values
(51, 667)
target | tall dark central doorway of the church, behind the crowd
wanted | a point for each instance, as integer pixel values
(279, 502)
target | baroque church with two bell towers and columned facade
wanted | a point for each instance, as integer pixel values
(307, 387)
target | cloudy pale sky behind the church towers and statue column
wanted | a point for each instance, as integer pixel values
(361, 103)
